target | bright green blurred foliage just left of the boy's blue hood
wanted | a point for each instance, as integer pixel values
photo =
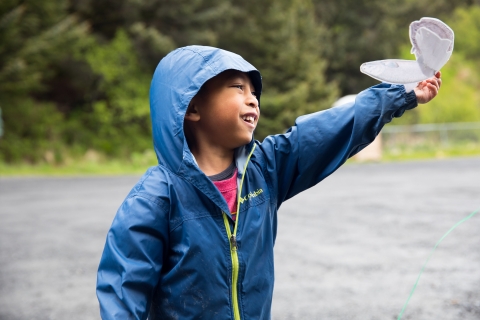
(120, 116)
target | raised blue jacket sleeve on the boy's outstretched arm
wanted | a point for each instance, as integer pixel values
(321, 142)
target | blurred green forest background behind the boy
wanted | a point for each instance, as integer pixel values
(75, 75)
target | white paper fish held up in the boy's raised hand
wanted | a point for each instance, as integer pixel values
(432, 42)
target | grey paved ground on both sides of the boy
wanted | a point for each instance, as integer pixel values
(350, 248)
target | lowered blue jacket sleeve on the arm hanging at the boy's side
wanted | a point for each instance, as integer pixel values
(132, 258)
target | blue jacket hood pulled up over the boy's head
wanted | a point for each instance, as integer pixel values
(177, 79)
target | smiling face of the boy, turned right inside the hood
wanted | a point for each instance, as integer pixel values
(226, 110)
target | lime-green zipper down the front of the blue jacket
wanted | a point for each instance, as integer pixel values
(232, 238)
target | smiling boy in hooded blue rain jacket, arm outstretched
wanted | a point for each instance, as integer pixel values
(194, 238)
